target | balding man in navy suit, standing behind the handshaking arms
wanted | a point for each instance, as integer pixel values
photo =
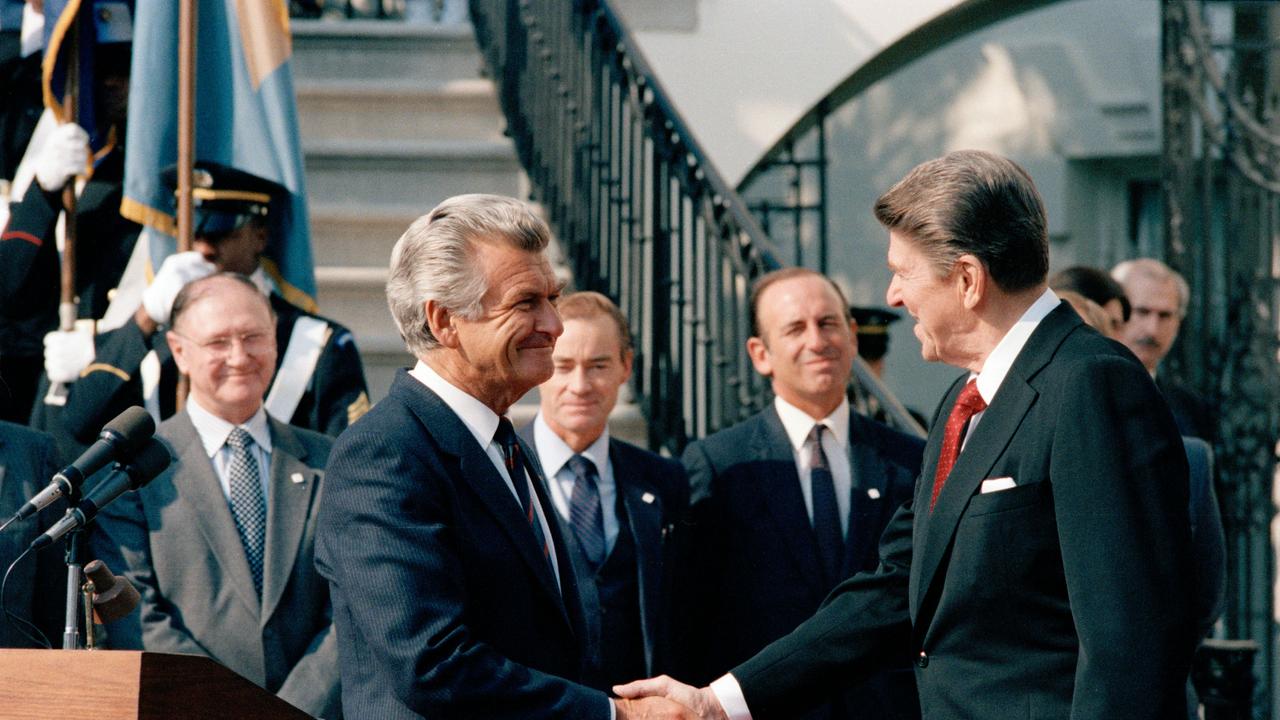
(794, 500)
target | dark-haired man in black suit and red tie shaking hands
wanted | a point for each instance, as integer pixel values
(1043, 568)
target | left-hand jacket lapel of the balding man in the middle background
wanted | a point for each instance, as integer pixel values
(780, 493)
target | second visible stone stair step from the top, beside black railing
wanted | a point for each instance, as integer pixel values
(378, 110)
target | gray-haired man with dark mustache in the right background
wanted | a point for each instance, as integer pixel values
(1159, 298)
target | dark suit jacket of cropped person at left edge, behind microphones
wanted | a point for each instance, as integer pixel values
(38, 587)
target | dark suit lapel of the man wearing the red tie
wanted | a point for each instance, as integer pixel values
(984, 449)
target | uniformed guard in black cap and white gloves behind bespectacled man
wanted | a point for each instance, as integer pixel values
(319, 384)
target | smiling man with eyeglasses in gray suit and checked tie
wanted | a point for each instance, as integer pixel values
(221, 545)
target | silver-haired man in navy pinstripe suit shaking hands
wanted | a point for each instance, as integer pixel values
(452, 586)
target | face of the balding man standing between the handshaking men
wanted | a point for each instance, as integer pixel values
(807, 344)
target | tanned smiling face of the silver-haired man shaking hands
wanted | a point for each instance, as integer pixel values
(508, 350)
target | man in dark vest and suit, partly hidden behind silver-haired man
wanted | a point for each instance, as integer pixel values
(621, 504)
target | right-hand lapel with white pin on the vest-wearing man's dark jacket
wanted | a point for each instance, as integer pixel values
(646, 520)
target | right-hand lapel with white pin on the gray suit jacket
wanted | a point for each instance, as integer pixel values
(292, 487)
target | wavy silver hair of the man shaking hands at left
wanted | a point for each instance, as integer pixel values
(436, 259)
